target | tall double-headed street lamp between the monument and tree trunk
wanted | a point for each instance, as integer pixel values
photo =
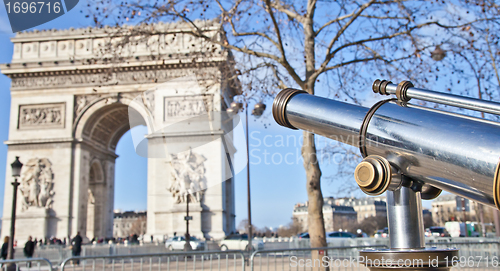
(257, 111)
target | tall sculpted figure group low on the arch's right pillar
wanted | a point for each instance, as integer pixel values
(188, 177)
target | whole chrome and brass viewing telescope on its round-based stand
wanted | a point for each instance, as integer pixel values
(411, 153)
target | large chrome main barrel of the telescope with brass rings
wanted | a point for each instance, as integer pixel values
(455, 153)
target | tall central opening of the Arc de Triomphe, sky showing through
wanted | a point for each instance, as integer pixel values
(101, 133)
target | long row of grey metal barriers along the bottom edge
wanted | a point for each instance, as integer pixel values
(474, 255)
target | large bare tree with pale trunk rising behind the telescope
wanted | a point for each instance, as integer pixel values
(311, 45)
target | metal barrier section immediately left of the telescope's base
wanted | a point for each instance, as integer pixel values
(339, 258)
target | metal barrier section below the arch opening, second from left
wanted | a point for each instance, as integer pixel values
(202, 260)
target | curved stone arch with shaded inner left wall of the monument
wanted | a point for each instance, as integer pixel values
(99, 127)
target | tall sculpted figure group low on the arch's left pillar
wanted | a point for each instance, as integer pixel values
(37, 183)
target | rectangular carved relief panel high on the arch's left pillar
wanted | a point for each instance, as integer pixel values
(41, 116)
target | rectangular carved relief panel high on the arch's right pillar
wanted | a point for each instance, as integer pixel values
(187, 106)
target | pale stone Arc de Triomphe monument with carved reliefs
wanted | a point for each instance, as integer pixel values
(70, 106)
